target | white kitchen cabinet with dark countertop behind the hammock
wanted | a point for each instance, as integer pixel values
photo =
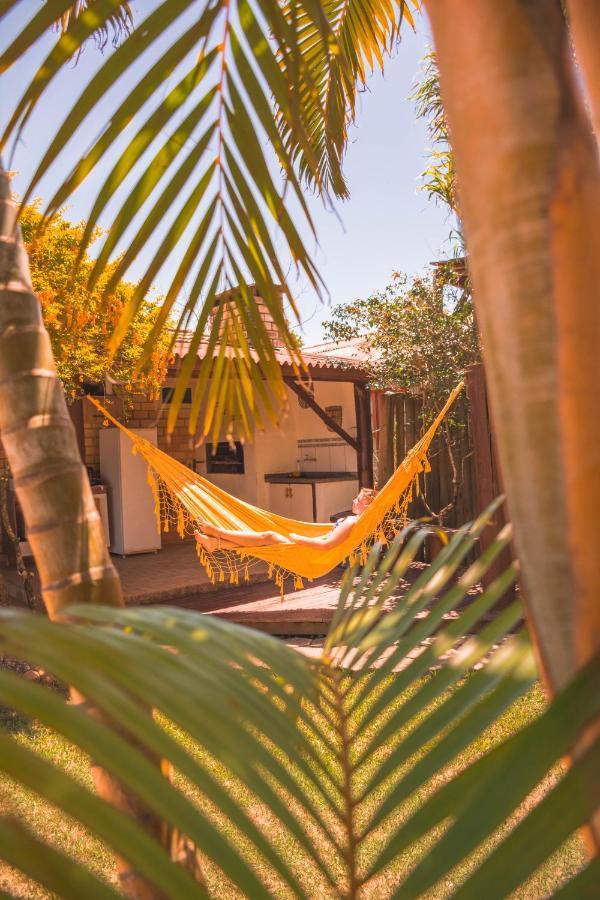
(311, 496)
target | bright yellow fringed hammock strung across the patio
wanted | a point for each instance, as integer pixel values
(183, 500)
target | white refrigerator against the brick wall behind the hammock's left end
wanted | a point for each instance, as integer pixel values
(133, 526)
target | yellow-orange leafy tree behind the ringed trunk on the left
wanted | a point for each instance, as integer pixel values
(79, 321)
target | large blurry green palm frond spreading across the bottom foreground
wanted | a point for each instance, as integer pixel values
(354, 758)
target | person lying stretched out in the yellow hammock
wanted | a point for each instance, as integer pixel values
(212, 538)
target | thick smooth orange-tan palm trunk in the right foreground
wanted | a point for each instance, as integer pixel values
(529, 188)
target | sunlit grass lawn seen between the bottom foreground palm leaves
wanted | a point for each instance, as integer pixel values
(73, 839)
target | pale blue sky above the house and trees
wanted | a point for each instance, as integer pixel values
(386, 225)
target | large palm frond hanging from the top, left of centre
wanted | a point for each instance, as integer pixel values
(196, 182)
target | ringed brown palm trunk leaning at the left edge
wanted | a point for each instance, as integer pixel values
(63, 526)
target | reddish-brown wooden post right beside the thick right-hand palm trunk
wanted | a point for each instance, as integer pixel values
(488, 479)
